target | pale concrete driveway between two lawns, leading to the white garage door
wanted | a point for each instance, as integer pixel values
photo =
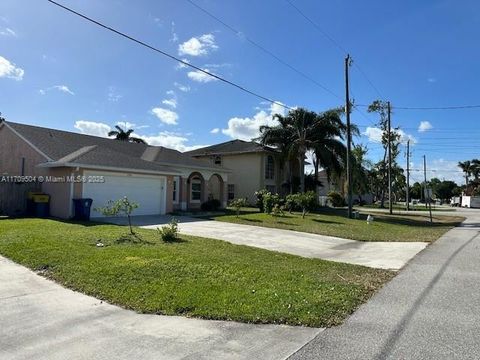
(383, 255)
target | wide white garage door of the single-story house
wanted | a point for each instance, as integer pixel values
(147, 191)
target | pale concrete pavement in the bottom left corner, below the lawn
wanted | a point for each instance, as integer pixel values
(39, 319)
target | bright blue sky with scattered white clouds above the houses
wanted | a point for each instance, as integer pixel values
(59, 71)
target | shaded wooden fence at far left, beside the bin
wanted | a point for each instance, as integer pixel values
(13, 197)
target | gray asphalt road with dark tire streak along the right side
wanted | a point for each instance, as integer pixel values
(429, 311)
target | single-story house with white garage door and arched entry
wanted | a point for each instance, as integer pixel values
(159, 179)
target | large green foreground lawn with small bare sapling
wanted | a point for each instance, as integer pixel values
(196, 277)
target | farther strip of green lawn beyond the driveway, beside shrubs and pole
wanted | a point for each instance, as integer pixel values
(335, 223)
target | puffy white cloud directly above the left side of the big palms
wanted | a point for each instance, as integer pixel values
(249, 127)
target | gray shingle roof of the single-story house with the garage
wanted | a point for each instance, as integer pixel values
(82, 149)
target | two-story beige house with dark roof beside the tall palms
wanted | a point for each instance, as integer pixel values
(253, 167)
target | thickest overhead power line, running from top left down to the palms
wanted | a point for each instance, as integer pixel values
(131, 38)
